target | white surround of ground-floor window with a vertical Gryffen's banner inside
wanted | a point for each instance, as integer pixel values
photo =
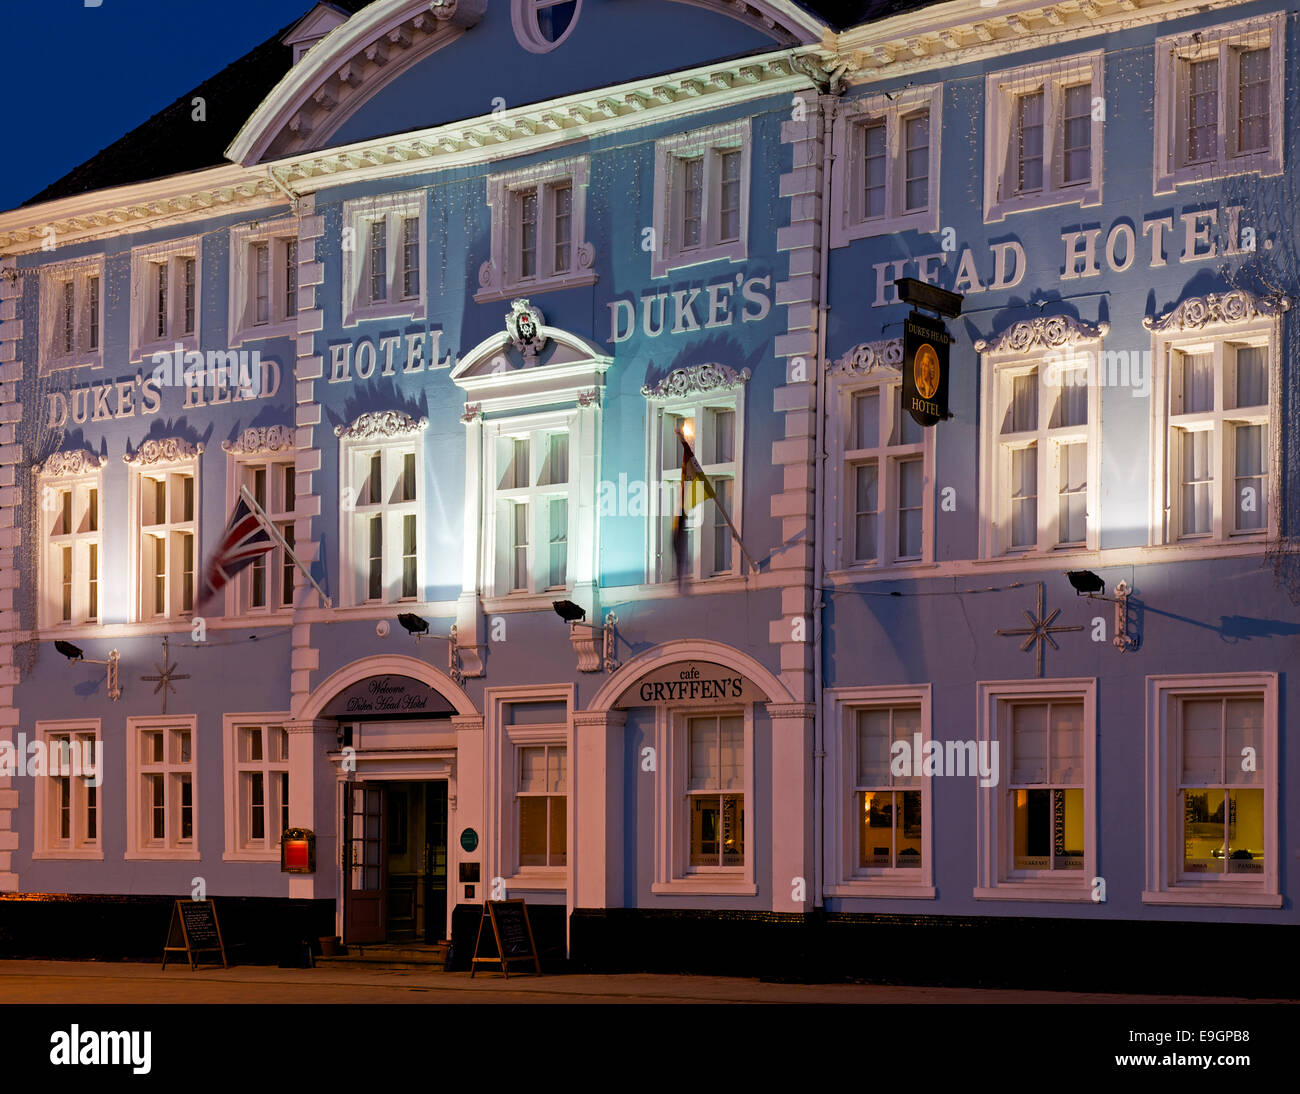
(993, 828)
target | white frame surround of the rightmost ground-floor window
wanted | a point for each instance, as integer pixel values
(1163, 885)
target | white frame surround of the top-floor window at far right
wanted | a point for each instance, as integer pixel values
(1169, 168)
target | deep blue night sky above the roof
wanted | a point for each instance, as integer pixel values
(79, 77)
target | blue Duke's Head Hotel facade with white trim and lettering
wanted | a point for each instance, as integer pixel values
(441, 301)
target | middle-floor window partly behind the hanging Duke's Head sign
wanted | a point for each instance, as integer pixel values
(887, 481)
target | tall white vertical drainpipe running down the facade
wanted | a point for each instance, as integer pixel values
(831, 93)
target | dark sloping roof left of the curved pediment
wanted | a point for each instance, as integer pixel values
(171, 144)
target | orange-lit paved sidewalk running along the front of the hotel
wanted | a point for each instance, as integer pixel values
(119, 983)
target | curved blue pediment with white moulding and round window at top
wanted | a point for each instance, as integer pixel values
(375, 75)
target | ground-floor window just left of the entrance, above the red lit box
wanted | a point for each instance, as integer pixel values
(258, 787)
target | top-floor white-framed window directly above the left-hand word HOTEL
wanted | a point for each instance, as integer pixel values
(383, 268)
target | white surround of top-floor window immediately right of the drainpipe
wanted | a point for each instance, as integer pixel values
(847, 224)
